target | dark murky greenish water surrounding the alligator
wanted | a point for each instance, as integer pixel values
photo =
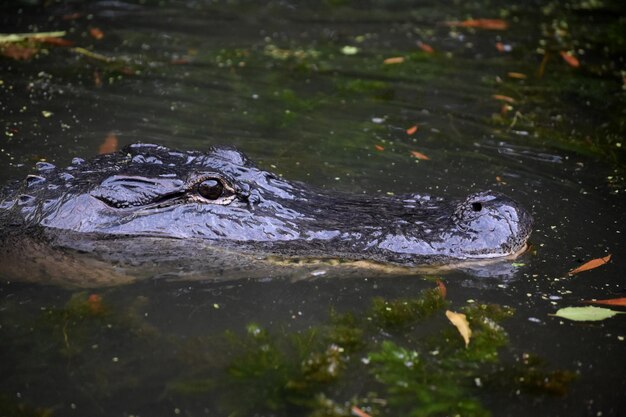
(304, 90)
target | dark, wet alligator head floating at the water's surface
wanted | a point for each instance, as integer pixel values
(149, 204)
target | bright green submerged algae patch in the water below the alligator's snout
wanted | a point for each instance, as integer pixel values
(302, 372)
